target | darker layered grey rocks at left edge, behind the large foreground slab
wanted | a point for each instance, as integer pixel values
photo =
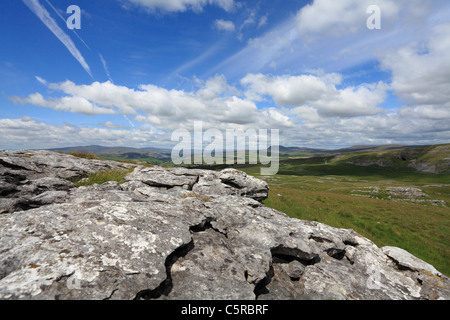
(24, 175)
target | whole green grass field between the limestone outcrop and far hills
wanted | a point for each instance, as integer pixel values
(347, 196)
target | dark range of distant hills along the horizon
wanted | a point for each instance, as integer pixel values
(432, 159)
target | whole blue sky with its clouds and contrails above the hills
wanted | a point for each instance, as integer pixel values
(139, 69)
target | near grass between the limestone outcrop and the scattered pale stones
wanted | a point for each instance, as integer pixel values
(421, 230)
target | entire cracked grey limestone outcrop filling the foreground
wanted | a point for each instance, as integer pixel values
(182, 234)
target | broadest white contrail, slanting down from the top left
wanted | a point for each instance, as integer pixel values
(50, 23)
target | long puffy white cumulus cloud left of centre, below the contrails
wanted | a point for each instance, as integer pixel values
(215, 102)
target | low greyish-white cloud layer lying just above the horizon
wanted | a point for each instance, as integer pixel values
(314, 131)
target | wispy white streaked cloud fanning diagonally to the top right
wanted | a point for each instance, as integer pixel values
(333, 35)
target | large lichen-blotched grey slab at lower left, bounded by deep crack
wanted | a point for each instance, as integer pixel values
(87, 251)
